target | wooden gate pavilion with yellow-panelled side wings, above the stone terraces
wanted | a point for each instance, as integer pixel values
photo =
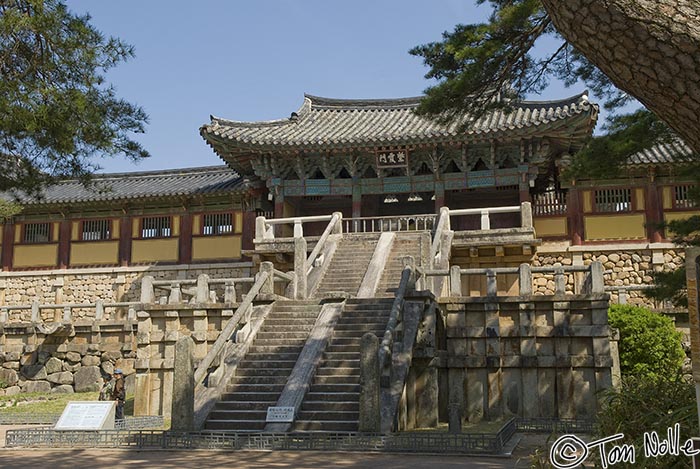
(366, 159)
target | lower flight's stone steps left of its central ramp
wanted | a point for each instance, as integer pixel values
(264, 371)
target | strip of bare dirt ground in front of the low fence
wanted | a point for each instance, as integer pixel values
(11, 458)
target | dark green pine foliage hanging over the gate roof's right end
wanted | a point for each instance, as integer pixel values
(484, 66)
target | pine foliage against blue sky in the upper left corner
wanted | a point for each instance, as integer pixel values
(56, 111)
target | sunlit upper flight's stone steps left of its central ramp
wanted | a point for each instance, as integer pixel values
(349, 264)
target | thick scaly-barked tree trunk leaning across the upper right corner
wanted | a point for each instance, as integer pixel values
(648, 48)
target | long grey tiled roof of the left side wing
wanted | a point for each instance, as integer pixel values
(147, 184)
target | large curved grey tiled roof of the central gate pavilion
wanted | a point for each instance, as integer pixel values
(325, 124)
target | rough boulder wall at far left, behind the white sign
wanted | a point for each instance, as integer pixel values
(65, 358)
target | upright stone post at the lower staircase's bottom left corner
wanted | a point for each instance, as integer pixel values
(182, 413)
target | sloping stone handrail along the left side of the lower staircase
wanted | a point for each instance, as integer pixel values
(263, 284)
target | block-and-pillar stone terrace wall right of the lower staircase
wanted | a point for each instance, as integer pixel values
(542, 356)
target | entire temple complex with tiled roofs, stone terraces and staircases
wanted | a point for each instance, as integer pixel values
(365, 268)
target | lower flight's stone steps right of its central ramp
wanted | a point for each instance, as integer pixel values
(332, 402)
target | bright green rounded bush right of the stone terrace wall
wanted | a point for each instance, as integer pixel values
(650, 346)
